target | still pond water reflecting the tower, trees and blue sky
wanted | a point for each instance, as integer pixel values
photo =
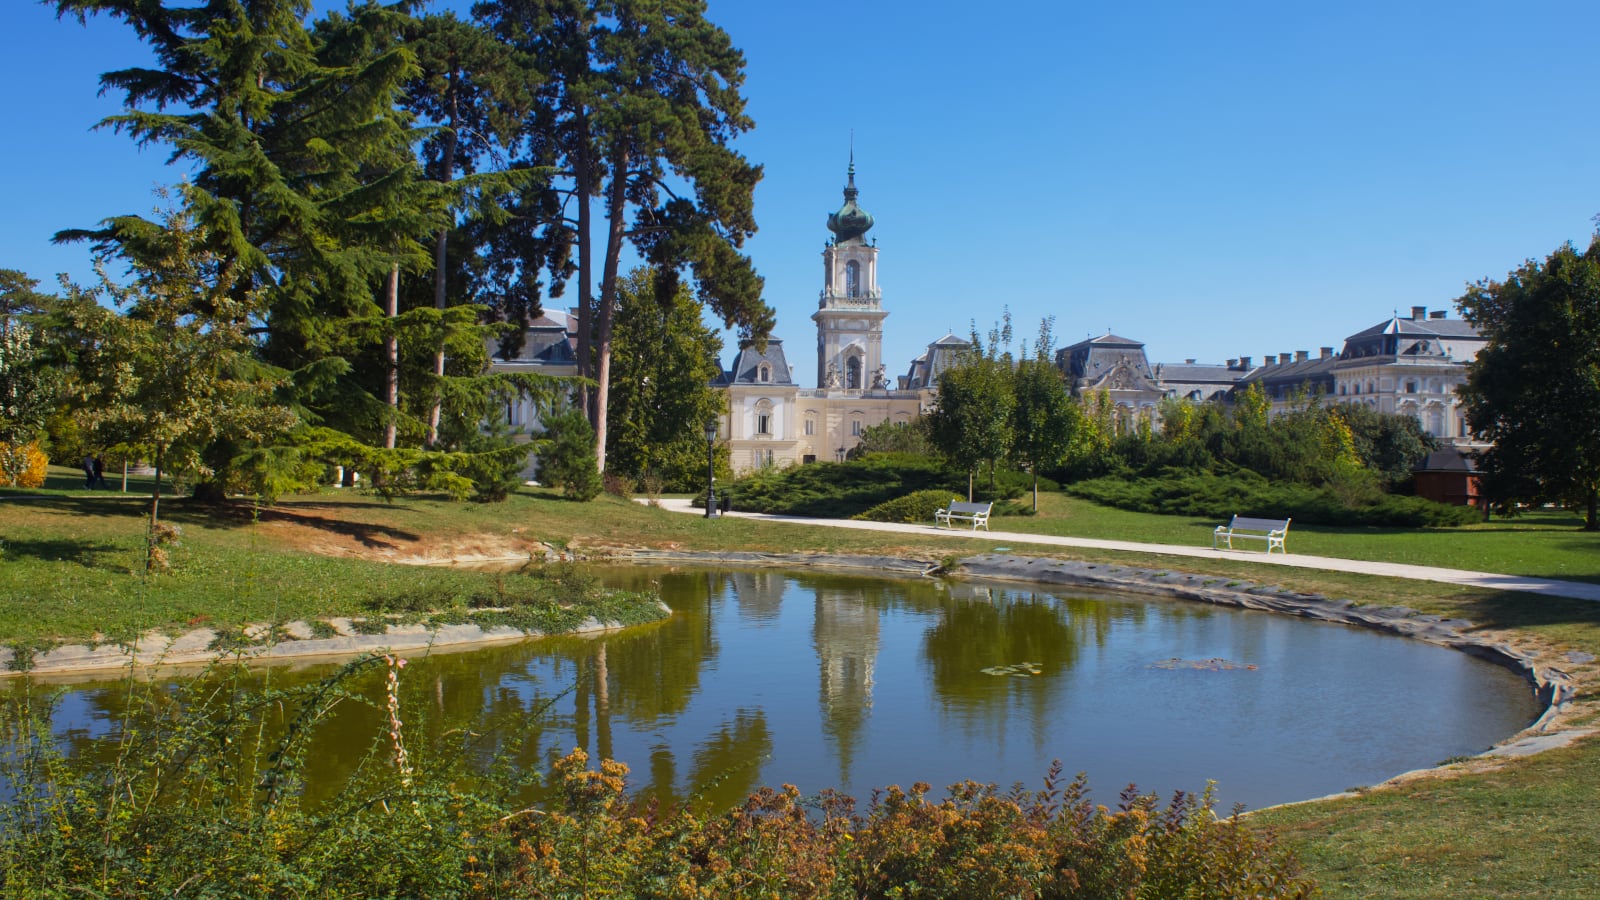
(826, 681)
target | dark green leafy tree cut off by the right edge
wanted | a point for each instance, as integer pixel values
(1534, 390)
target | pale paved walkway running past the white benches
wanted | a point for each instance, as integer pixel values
(1548, 587)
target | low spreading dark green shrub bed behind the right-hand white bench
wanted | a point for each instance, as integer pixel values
(1246, 494)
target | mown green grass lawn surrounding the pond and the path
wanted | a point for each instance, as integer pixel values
(70, 569)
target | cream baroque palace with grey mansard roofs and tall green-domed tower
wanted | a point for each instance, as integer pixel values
(1407, 364)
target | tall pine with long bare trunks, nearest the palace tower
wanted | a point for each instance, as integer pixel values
(641, 105)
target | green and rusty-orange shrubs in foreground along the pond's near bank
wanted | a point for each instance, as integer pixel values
(204, 794)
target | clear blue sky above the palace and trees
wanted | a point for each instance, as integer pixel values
(1217, 180)
